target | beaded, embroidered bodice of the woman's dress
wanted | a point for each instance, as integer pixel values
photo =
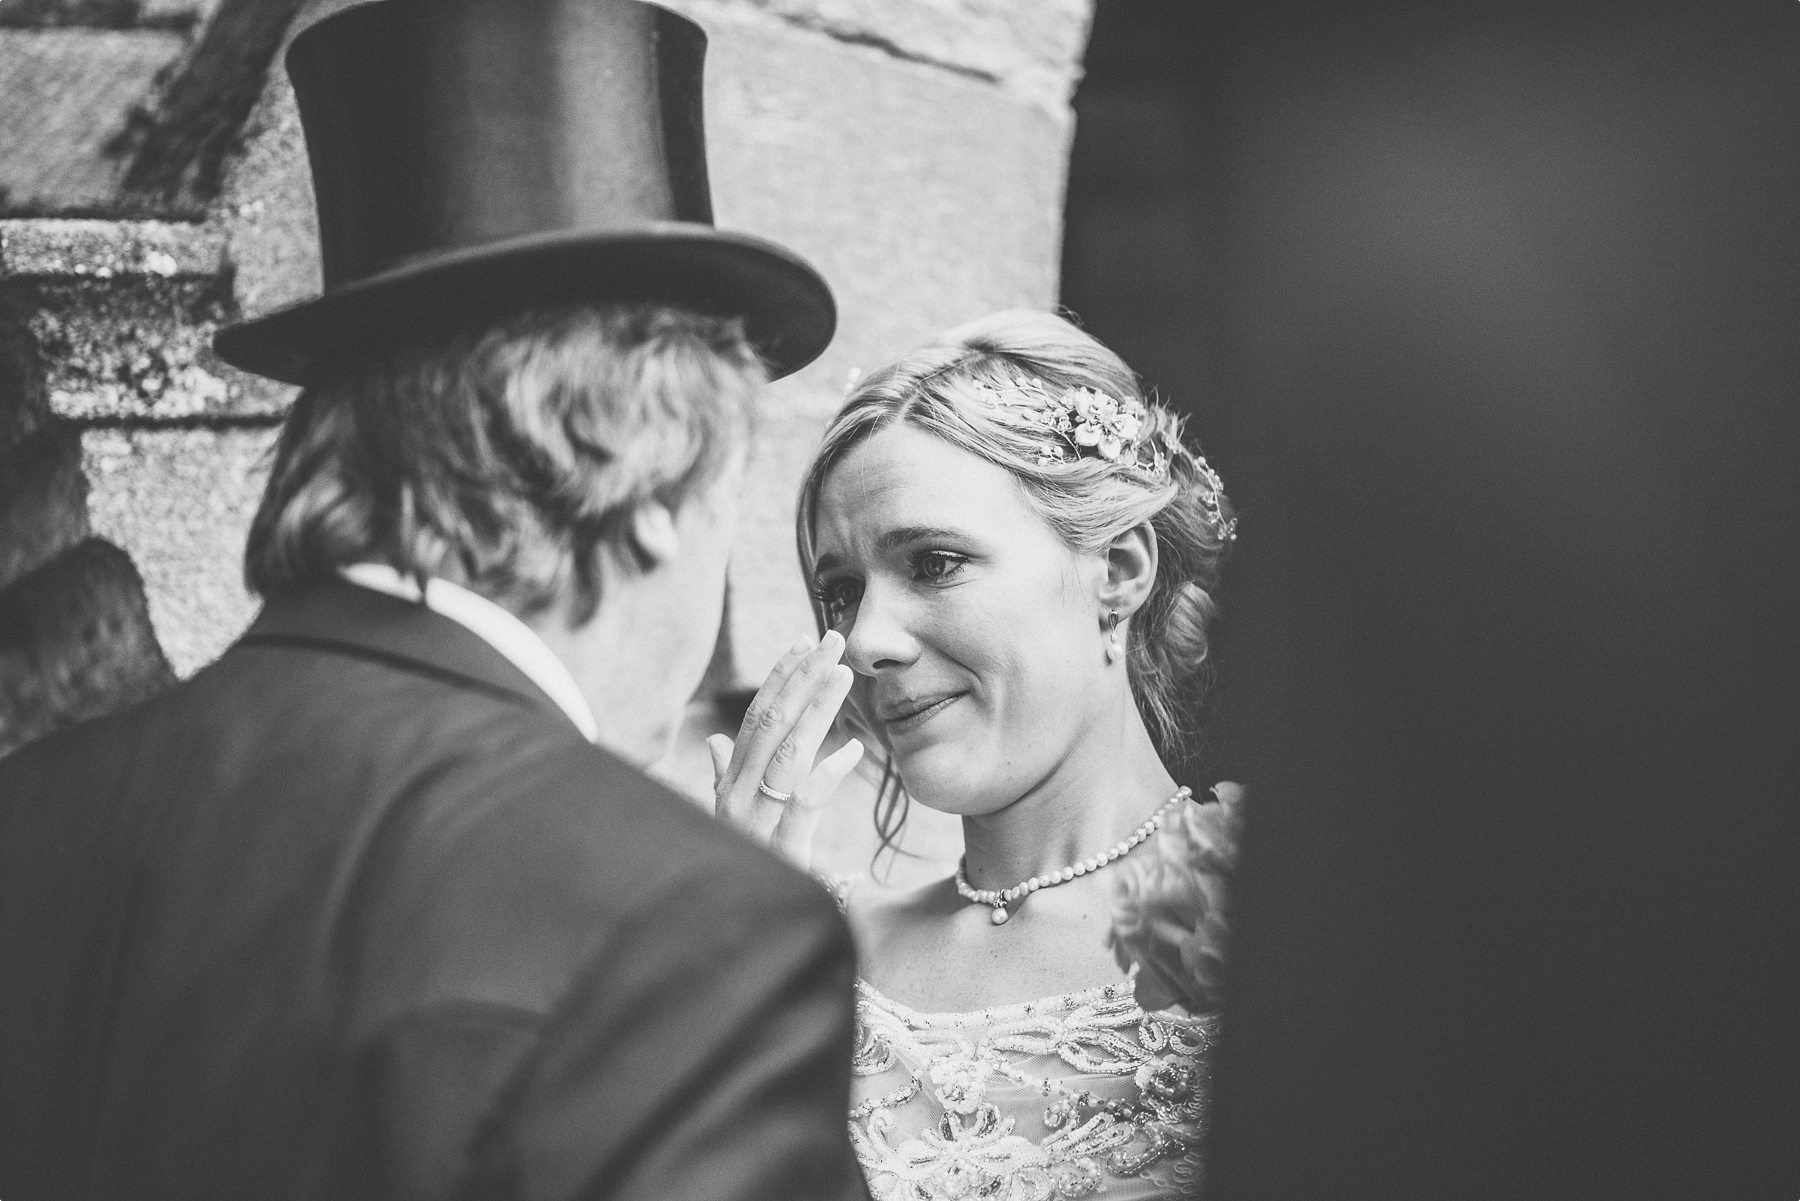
(1041, 1101)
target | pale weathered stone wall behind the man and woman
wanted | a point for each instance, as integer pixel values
(913, 150)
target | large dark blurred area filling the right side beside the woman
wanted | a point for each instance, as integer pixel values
(1491, 309)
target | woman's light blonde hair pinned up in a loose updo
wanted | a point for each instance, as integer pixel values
(1088, 500)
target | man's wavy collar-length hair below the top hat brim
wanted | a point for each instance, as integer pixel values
(505, 458)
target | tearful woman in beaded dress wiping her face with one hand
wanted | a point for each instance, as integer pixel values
(1014, 559)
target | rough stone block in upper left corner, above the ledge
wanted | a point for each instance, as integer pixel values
(67, 95)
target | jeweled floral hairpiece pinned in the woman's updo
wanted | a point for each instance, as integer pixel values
(1097, 424)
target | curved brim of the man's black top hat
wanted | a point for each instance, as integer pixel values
(787, 309)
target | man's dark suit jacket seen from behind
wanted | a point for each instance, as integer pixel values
(357, 914)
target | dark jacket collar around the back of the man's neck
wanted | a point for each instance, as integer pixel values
(345, 619)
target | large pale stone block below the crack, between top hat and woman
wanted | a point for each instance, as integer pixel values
(926, 199)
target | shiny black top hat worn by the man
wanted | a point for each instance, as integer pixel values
(476, 158)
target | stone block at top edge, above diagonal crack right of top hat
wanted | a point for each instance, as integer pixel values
(1032, 48)
